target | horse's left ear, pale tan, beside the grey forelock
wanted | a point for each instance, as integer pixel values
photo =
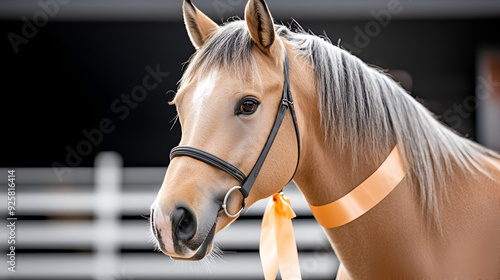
(198, 25)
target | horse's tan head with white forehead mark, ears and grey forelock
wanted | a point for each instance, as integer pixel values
(227, 102)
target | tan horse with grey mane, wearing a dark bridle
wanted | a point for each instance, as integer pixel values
(441, 221)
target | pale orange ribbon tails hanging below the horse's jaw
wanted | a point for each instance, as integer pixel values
(277, 242)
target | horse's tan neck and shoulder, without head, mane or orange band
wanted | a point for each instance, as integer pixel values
(396, 231)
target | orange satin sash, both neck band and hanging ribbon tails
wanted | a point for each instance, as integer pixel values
(277, 244)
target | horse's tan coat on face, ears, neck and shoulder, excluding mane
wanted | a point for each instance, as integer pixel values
(394, 240)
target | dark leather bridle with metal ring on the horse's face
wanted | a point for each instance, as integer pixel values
(248, 181)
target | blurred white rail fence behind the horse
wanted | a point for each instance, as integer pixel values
(91, 226)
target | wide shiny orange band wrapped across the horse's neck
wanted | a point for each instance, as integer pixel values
(365, 196)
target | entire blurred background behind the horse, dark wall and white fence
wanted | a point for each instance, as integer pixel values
(89, 138)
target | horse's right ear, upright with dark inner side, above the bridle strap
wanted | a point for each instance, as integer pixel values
(260, 24)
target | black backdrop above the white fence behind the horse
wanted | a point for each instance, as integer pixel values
(65, 79)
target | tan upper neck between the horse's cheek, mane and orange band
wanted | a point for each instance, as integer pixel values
(326, 171)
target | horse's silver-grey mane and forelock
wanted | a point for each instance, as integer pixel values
(362, 108)
